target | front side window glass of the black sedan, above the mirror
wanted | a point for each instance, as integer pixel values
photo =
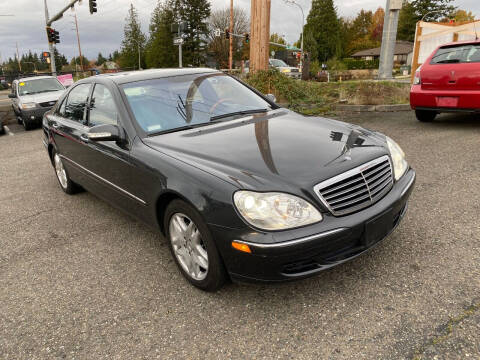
(102, 107)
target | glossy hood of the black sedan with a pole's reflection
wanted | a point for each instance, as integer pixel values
(280, 150)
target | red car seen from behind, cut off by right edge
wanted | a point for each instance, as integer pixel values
(448, 81)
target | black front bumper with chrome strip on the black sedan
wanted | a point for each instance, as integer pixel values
(303, 252)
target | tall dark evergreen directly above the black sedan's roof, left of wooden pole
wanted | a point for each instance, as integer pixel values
(195, 14)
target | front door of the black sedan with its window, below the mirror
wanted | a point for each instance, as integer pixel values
(108, 162)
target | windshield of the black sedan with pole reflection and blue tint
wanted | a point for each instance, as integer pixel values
(166, 104)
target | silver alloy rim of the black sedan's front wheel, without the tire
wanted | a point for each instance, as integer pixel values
(188, 246)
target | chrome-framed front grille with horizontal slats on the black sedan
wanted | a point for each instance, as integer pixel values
(358, 188)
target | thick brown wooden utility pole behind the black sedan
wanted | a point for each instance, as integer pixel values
(259, 34)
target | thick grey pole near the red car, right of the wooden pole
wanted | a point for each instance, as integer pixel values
(389, 38)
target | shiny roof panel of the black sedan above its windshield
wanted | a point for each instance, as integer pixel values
(139, 75)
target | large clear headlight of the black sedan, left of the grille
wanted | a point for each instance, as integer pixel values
(275, 211)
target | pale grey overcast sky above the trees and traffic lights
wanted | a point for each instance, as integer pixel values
(103, 31)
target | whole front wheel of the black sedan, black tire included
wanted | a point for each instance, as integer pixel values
(194, 243)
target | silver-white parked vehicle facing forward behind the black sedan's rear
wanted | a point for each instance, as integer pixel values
(33, 96)
